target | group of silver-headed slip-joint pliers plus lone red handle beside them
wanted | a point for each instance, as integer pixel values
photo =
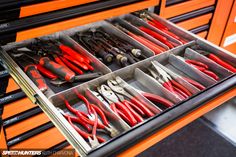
(128, 107)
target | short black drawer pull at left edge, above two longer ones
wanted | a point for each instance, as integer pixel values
(11, 96)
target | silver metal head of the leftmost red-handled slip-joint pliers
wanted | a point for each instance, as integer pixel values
(108, 94)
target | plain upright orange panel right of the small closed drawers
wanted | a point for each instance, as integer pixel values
(219, 21)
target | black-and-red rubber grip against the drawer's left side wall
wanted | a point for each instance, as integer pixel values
(36, 77)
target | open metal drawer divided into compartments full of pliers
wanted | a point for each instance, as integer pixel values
(135, 78)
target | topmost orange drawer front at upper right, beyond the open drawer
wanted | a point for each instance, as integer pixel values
(185, 7)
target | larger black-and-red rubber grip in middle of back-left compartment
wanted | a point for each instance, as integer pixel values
(62, 72)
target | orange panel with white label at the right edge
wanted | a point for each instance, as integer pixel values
(229, 38)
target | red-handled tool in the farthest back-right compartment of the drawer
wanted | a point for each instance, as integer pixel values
(144, 15)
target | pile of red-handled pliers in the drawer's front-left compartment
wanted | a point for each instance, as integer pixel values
(88, 120)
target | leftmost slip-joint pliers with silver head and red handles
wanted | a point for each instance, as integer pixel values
(118, 107)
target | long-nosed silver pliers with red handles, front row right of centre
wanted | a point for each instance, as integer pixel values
(167, 82)
